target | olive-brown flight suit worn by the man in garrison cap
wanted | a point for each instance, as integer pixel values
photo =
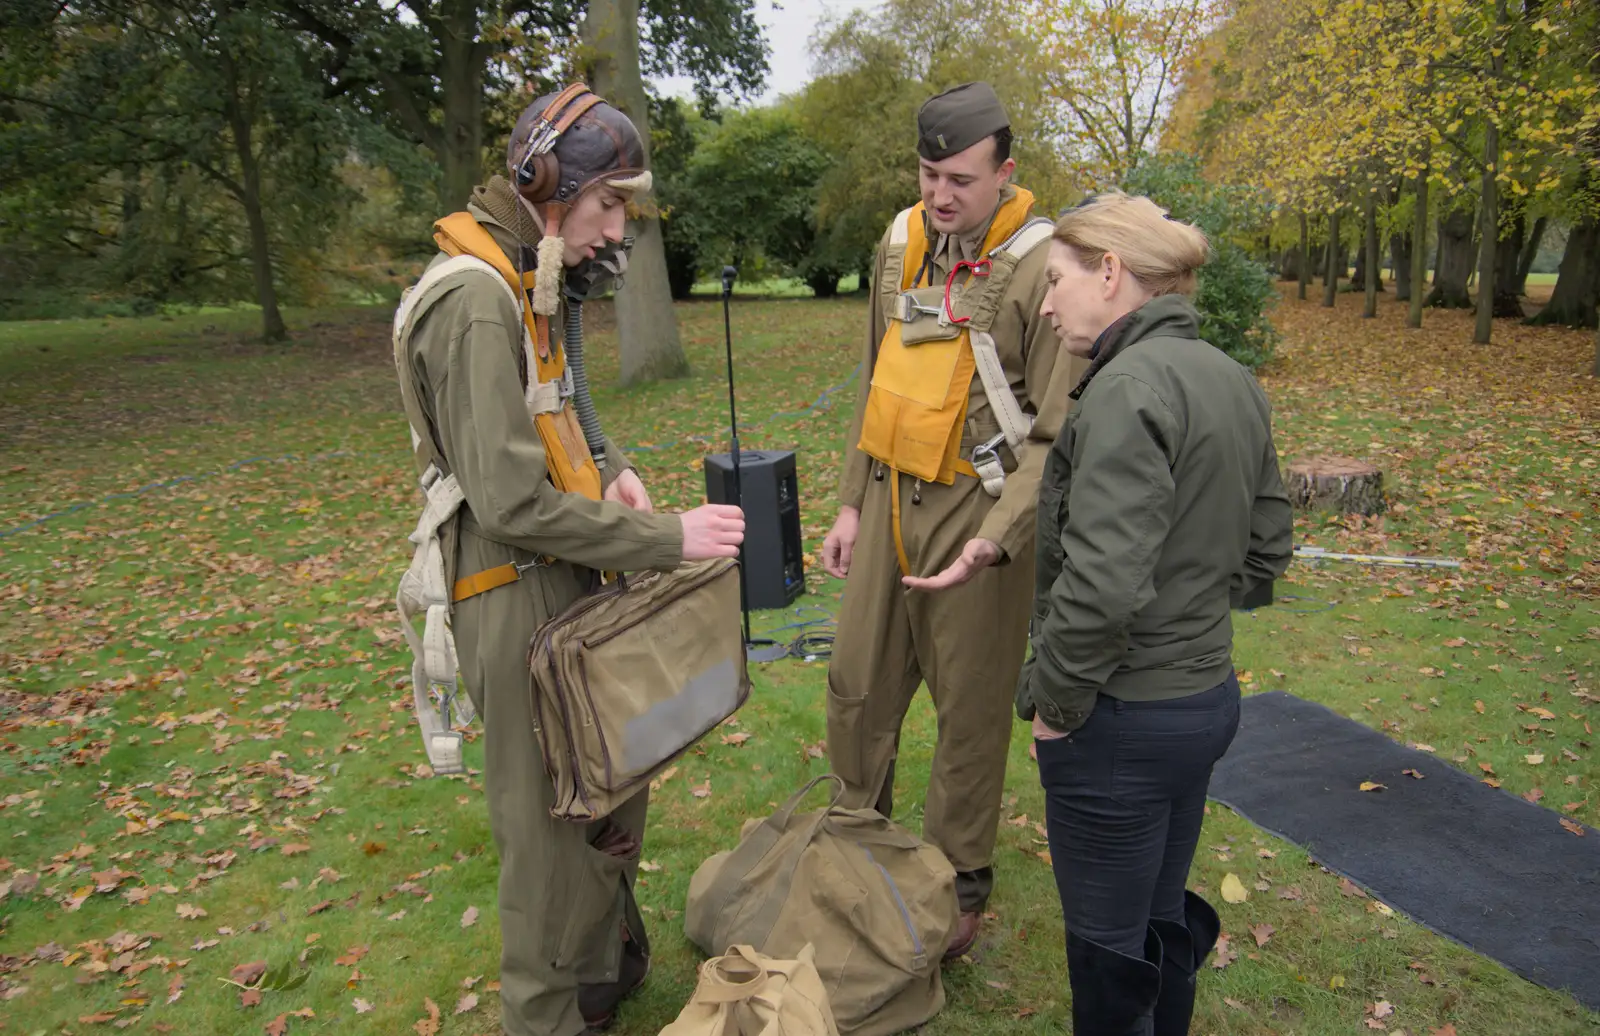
(967, 644)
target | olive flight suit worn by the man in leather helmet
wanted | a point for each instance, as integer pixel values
(562, 903)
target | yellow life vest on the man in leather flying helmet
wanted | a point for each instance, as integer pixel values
(566, 450)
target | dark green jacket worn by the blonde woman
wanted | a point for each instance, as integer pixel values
(1159, 504)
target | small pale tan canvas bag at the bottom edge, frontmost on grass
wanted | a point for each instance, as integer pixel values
(748, 994)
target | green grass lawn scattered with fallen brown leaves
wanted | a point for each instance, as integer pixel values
(209, 760)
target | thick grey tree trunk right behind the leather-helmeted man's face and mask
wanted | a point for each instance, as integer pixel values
(646, 324)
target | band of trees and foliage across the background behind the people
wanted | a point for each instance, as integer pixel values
(273, 153)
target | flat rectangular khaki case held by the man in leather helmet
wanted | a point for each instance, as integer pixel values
(626, 680)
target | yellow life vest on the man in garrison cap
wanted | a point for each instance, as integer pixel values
(918, 402)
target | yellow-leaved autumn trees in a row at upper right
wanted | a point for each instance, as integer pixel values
(1481, 114)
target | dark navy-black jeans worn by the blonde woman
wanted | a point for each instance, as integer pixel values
(1124, 803)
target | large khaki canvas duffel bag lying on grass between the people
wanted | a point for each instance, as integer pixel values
(878, 904)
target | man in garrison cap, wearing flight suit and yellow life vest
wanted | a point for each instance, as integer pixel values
(962, 397)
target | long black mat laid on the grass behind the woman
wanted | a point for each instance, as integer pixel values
(1471, 863)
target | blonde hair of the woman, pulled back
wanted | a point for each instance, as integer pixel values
(1159, 252)
